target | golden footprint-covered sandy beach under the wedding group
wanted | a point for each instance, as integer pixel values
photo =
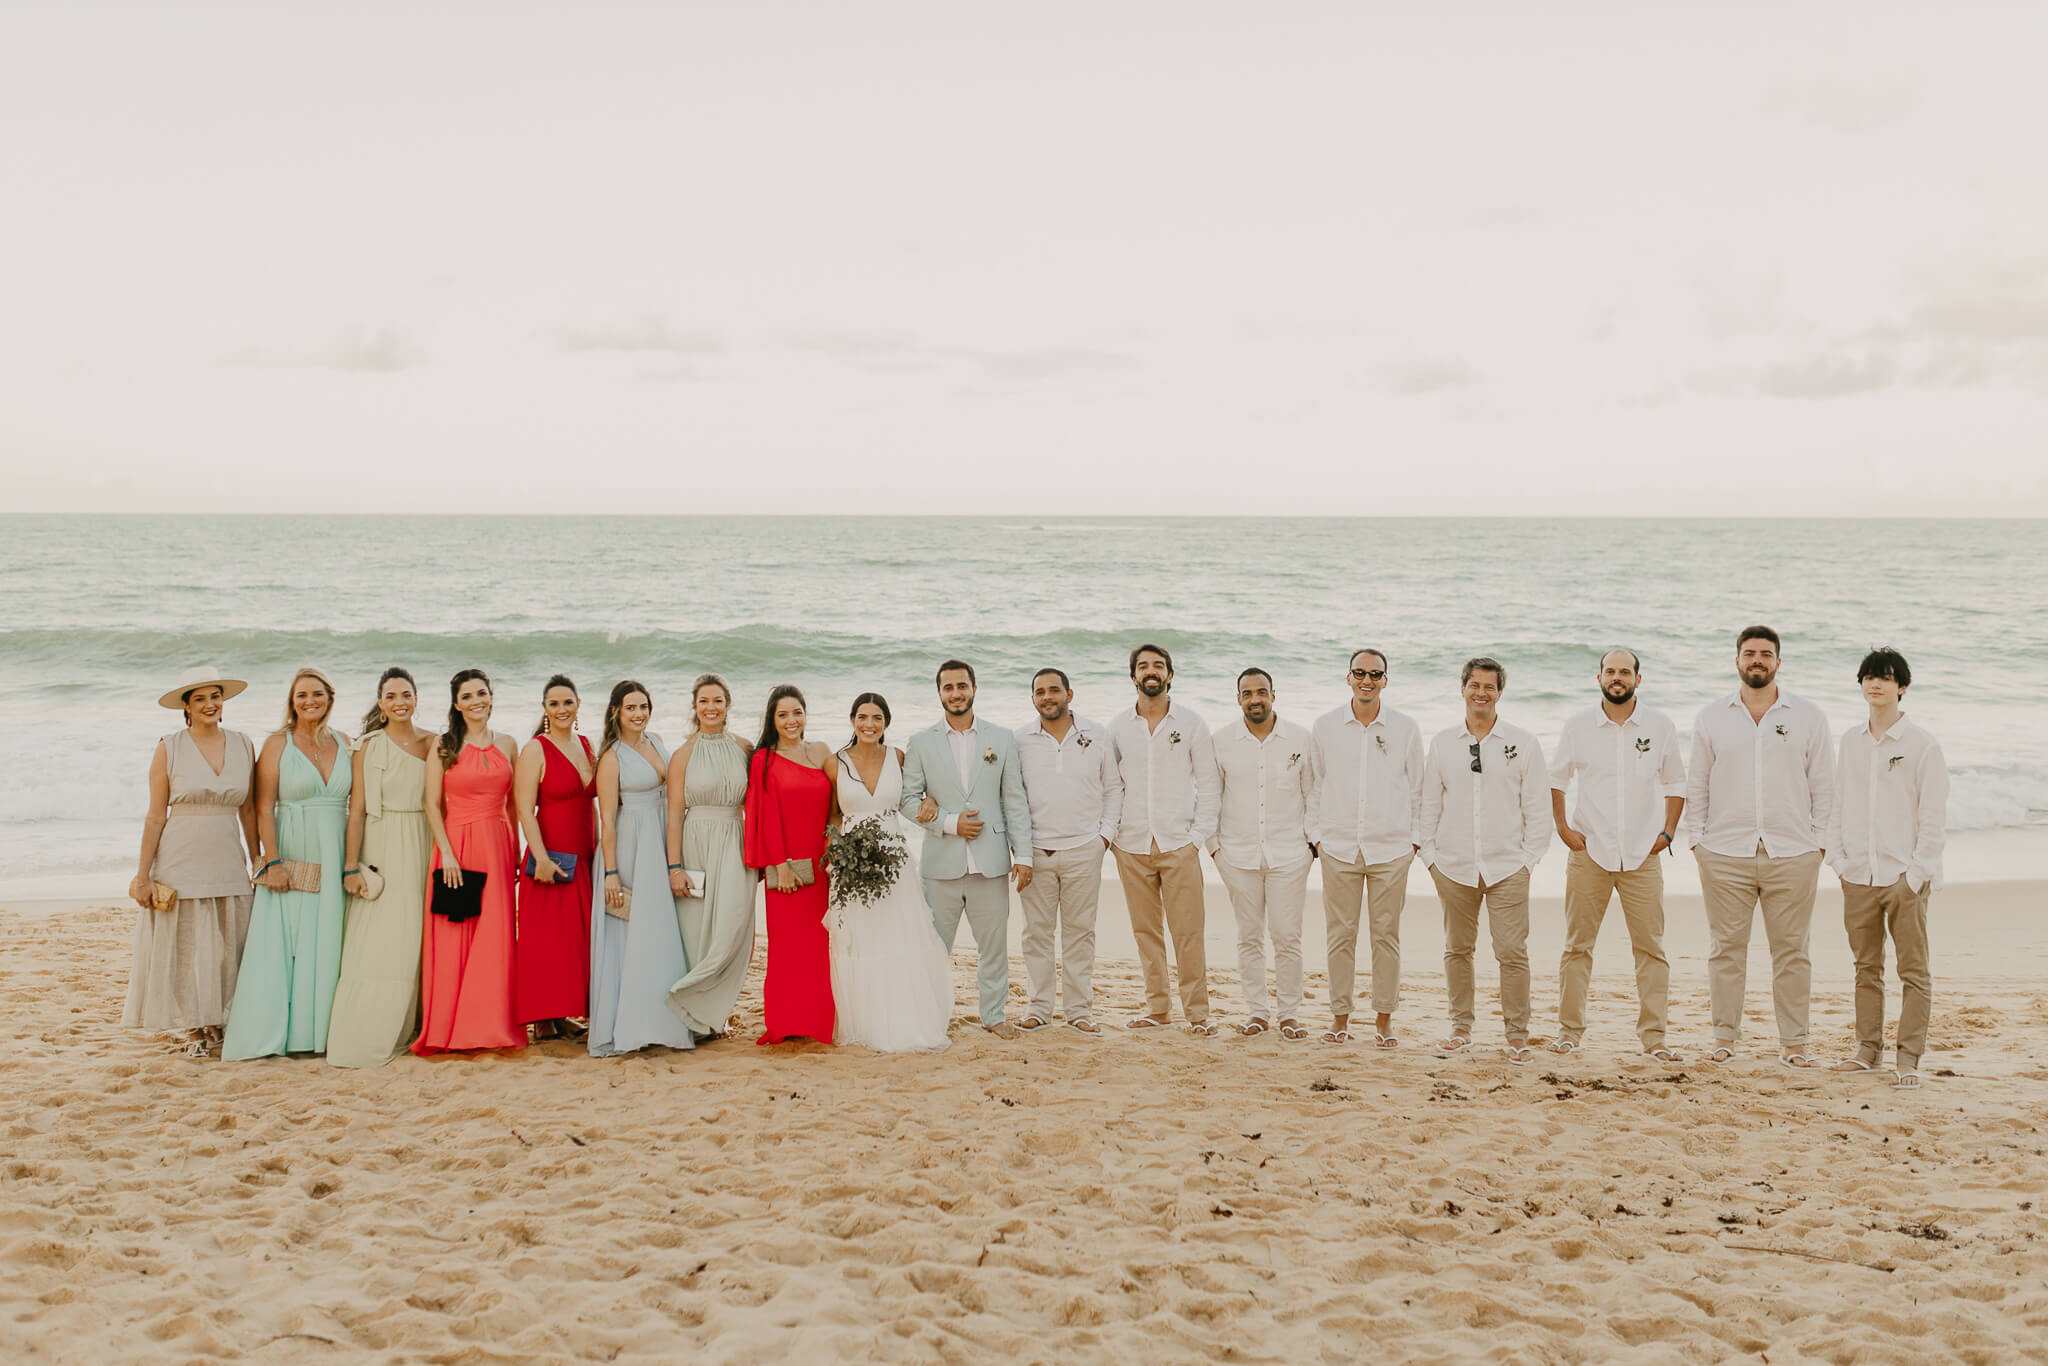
(1050, 1199)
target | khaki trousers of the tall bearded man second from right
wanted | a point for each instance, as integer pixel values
(1734, 890)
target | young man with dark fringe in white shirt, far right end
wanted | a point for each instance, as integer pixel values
(1885, 843)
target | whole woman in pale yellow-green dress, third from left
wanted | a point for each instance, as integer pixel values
(378, 1000)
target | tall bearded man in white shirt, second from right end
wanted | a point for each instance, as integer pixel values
(1760, 789)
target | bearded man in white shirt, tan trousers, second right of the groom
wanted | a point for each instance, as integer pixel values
(1168, 767)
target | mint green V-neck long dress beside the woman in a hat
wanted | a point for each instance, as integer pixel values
(294, 955)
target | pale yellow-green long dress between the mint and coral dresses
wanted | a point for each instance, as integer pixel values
(378, 1000)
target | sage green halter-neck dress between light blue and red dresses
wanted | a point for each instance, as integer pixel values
(718, 929)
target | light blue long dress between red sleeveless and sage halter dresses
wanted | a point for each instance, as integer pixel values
(638, 959)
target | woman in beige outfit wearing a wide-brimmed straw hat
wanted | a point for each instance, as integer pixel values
(198, 849)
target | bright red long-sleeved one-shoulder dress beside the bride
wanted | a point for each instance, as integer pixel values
(787, 808)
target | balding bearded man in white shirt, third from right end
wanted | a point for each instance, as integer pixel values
(1631, 794)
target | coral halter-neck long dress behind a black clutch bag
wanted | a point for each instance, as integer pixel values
(466, 968)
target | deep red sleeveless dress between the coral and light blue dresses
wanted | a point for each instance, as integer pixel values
(554, 919)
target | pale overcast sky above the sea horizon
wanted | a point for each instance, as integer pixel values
(1056, 257)
